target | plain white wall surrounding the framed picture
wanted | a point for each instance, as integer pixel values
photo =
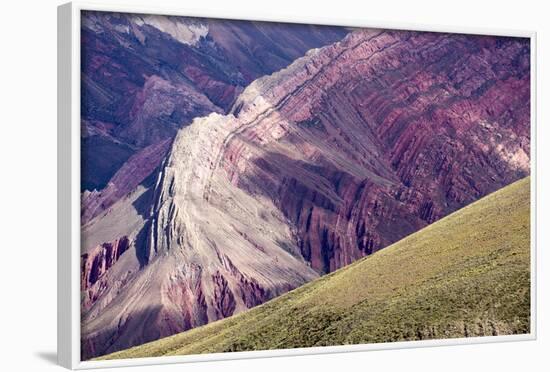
(28, 183)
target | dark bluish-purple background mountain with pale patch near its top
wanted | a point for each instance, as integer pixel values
(146, 76)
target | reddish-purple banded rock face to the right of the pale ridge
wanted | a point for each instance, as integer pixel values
(382, 134)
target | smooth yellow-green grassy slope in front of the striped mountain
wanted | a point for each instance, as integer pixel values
(465, 275)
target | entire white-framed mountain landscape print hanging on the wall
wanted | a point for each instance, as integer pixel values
(236, 186)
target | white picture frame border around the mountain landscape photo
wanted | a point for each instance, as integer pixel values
(68, 261)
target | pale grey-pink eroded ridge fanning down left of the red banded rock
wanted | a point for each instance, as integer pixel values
(193, 261)
